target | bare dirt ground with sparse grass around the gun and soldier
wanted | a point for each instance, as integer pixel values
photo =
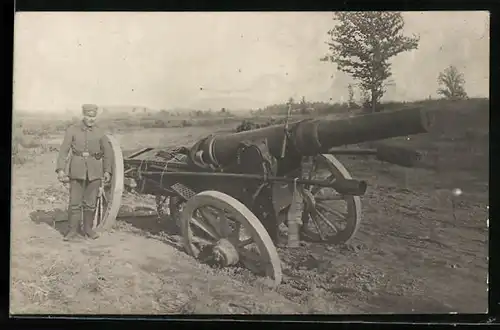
(418, 250)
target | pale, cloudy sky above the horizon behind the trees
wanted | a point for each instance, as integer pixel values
(214, 60)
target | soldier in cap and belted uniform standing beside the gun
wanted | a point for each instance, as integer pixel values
(89, 164)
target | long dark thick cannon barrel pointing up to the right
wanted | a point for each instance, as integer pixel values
(314, 136)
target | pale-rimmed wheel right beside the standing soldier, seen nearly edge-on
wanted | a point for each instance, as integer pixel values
(110, 195)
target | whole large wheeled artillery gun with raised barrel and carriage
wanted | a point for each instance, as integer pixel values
(230, 193)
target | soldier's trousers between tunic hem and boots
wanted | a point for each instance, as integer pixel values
(83, 194)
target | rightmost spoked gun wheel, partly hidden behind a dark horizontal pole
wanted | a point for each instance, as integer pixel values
(329, 217)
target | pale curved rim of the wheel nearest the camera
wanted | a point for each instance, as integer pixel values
(244, 216)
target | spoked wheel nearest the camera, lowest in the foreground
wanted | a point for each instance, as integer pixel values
(217, 227)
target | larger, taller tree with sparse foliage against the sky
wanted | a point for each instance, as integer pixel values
(362, 44)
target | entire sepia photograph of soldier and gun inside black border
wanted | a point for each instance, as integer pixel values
(250, 163)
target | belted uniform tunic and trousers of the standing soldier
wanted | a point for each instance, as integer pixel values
(90, 158)
